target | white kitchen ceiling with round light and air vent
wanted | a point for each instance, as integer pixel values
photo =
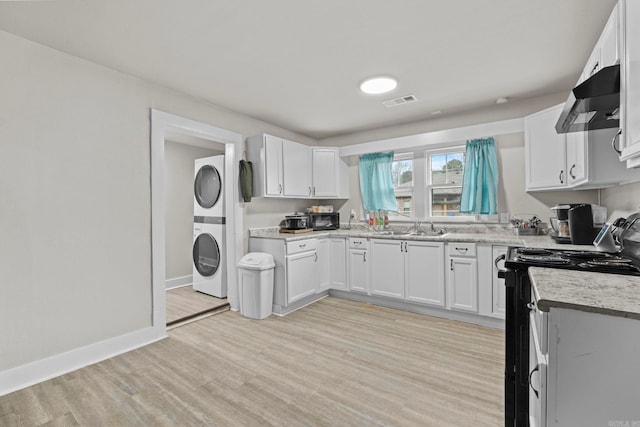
(298, 63)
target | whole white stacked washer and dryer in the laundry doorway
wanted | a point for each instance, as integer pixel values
(209, 248)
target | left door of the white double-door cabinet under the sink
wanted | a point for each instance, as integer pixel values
(387, 268)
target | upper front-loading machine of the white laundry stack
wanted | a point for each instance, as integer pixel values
(208, 188)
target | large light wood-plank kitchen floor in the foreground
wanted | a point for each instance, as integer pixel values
(333, 363)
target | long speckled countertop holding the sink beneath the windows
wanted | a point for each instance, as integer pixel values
(495, 234)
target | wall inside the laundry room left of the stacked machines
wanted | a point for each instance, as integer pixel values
(179, 171)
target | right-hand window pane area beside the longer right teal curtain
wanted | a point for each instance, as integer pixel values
(444, 181)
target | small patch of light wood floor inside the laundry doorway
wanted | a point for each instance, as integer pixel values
(185, 303)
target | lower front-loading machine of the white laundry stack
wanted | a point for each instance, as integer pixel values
(209, 272)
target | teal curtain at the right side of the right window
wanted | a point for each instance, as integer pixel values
(480, 179)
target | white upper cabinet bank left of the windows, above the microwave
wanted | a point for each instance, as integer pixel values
(284, 168)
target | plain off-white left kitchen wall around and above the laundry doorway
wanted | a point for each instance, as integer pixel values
(75, 194)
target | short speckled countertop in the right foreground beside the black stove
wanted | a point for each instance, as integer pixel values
(610, 294)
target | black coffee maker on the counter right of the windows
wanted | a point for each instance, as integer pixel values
(577, 223)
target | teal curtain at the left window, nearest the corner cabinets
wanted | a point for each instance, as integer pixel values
(376, 183)
